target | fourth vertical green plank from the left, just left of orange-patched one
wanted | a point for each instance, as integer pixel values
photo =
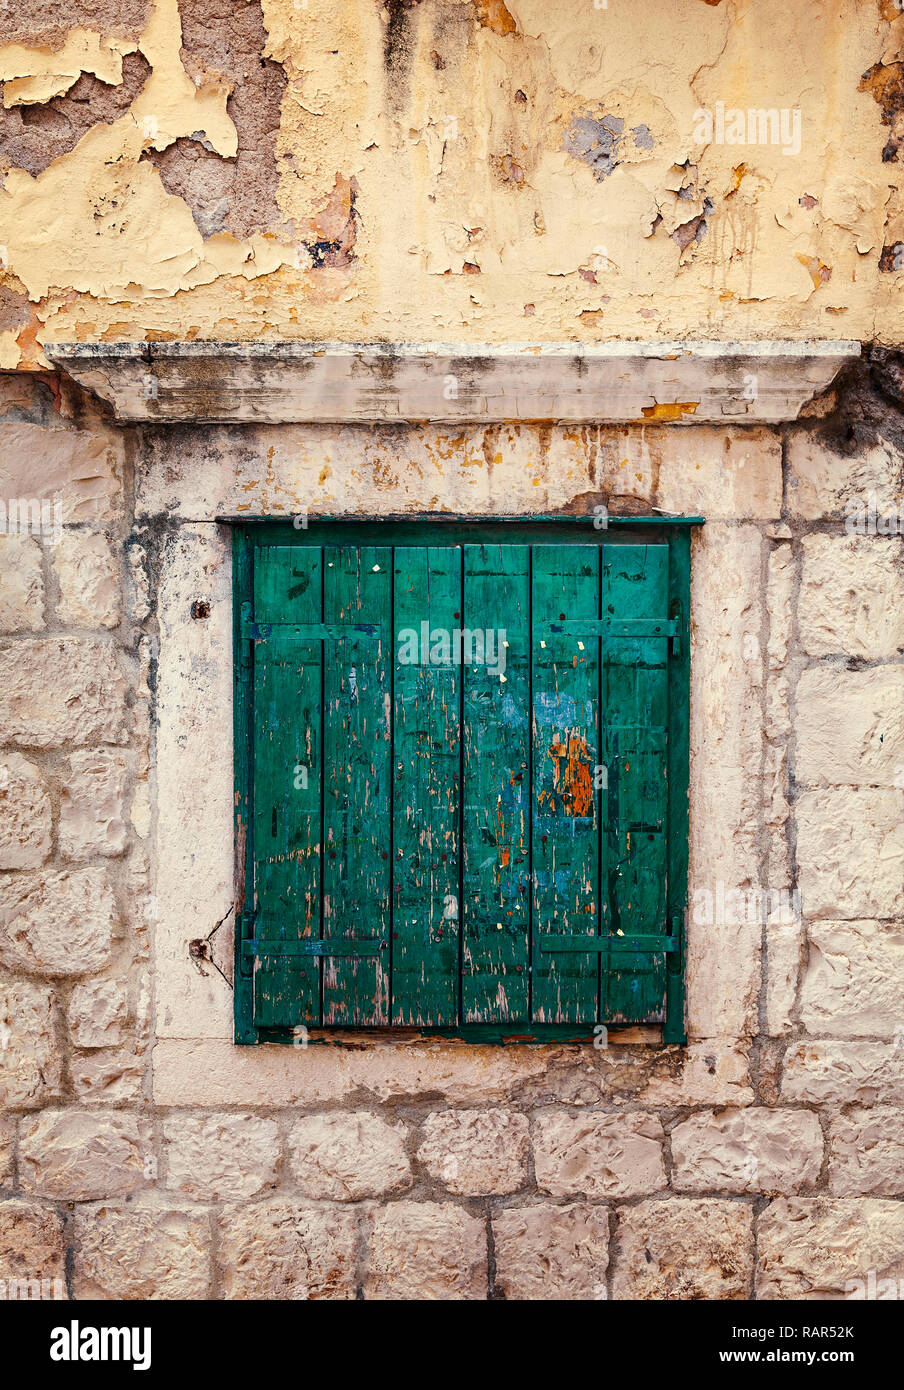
(496, 799)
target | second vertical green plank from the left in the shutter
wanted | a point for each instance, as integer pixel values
(357, 761)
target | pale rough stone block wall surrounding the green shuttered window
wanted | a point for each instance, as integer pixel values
(144, 1156)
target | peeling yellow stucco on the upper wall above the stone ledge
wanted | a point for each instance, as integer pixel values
(467, 170)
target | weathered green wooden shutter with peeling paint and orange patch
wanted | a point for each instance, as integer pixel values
(479, 836)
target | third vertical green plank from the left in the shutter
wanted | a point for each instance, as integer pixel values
(428, 589)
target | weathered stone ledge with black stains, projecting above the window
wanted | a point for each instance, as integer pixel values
(621, 383)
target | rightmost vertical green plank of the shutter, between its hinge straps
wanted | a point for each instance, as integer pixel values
(636, 715)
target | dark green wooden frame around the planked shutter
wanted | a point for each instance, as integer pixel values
(450, 530)
